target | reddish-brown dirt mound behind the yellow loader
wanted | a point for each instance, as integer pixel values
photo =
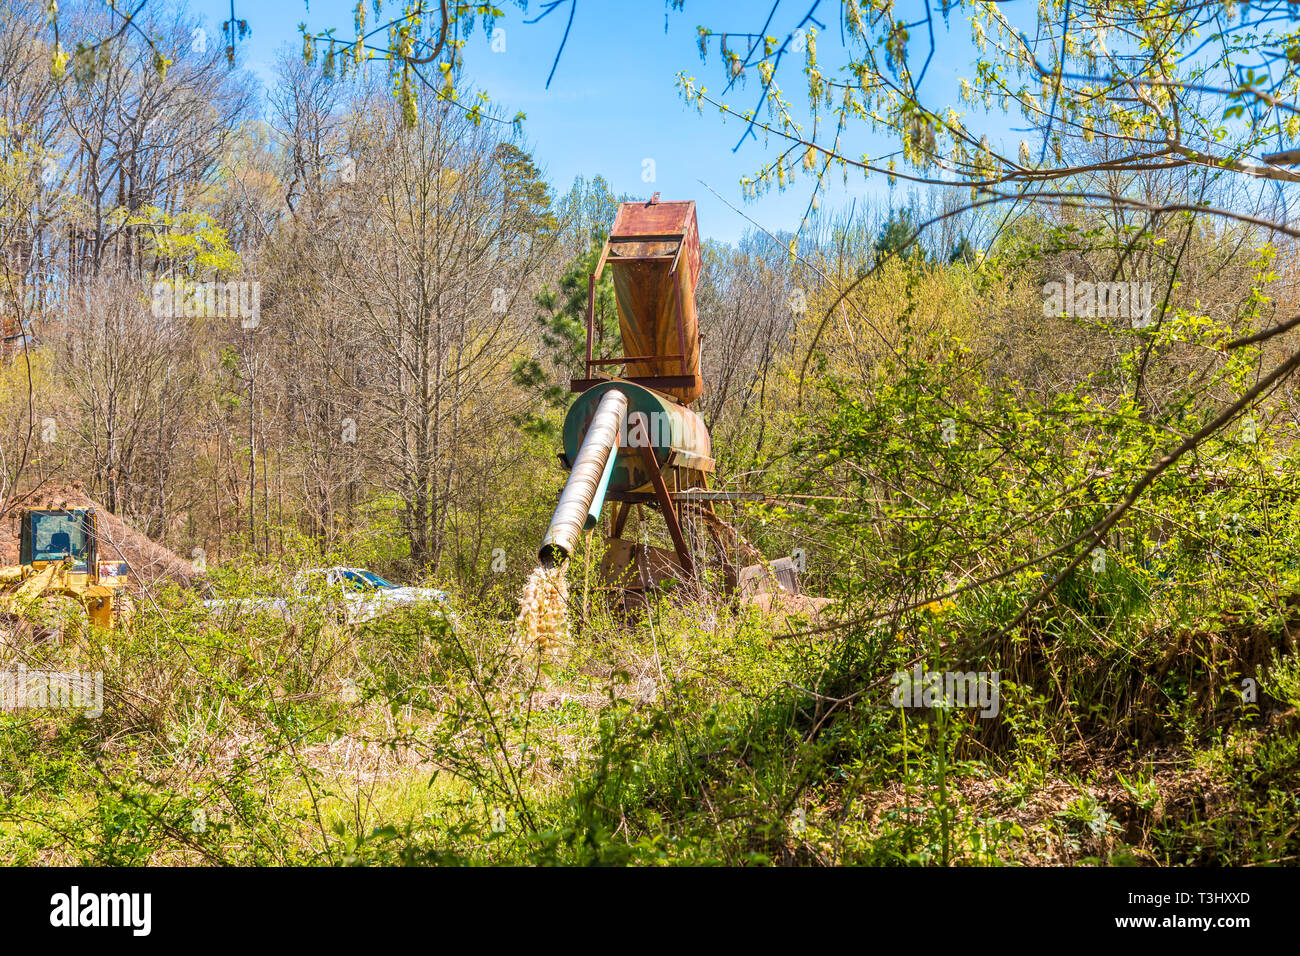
(150, 561)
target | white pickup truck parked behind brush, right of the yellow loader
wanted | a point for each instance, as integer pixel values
(362, 595)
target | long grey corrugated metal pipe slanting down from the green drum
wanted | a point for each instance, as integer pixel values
(588, 481)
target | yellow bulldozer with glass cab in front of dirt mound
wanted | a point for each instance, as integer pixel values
(60, 583)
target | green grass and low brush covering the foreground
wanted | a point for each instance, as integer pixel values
(697, 734)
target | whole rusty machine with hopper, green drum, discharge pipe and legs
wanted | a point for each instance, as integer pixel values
(632, 440)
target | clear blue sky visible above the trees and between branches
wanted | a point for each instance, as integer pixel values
(614, 102)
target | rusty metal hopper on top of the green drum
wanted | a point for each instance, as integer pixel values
(655, 257)
